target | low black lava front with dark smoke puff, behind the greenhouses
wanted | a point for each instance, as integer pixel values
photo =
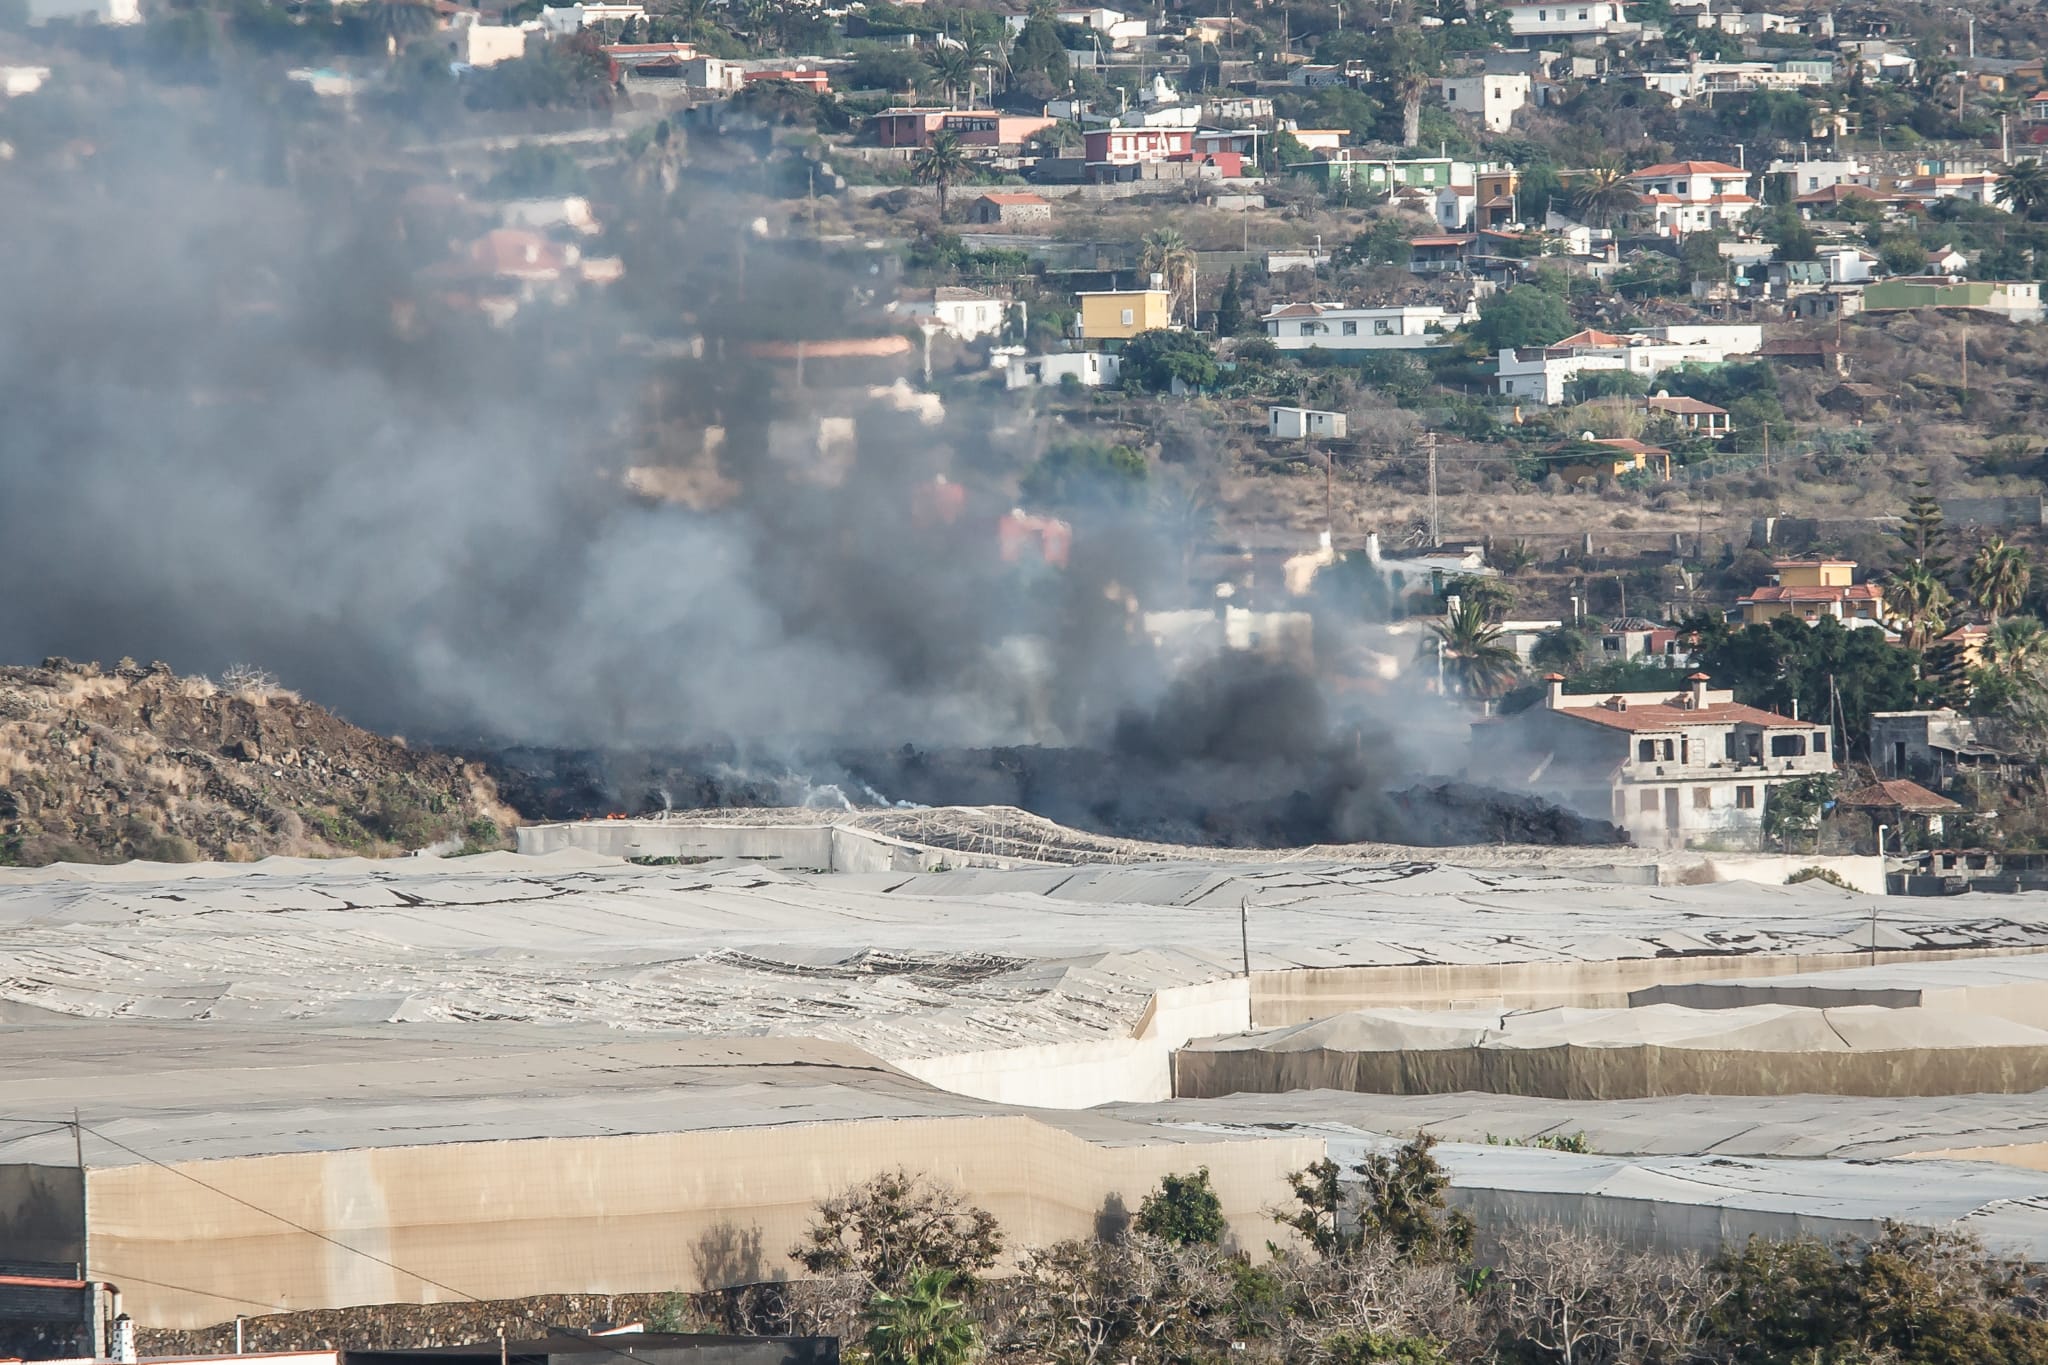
(1238, 756)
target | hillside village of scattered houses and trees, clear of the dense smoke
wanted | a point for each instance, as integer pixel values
(1594, 341)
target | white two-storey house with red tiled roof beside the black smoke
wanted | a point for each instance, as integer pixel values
(1668, 768)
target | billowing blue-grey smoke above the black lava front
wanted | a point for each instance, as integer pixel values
(234, 433)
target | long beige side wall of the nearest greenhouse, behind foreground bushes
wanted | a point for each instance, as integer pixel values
(617, 1215)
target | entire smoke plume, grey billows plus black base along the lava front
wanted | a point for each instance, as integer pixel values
(243, 429)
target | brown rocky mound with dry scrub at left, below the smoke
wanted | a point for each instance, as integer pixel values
(136, 762)
